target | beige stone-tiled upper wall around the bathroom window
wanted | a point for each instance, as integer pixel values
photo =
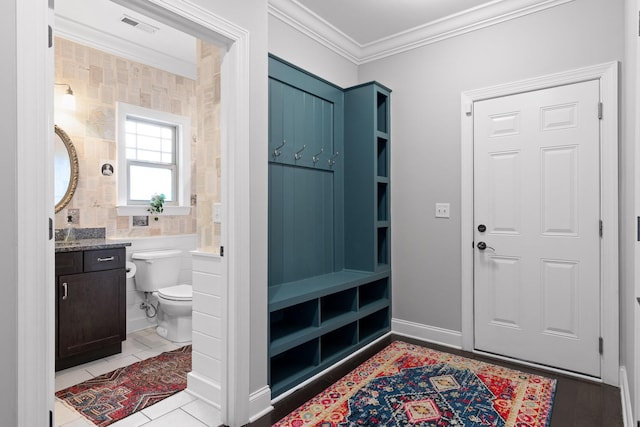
(99, 80)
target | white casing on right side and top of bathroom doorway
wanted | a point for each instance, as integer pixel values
(236, 235)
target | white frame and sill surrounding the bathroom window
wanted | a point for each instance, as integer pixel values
(182, 205)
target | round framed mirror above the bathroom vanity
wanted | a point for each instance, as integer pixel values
(65, 169)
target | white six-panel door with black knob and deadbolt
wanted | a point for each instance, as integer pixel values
(537, 193)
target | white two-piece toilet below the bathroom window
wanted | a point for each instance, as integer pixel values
(157, 272)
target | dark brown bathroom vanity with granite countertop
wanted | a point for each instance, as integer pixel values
(90, 300)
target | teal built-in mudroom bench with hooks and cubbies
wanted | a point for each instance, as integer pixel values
(329, 223)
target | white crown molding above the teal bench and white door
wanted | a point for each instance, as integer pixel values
(299, 17)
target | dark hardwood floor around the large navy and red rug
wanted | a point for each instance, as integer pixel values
(577, 403)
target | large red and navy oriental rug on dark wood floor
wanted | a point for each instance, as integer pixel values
(409, 385)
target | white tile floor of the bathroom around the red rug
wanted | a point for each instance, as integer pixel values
(181, 409)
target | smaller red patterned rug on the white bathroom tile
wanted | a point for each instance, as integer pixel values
(110, 397)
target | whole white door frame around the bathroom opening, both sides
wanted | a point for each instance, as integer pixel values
(35, 307)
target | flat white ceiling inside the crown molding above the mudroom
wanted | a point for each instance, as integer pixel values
(367, 21)
